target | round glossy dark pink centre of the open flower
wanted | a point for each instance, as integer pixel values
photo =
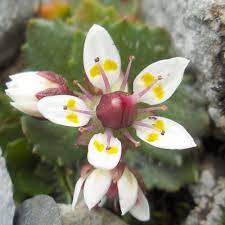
(116, 110)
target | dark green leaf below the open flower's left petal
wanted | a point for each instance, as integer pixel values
(53, 142)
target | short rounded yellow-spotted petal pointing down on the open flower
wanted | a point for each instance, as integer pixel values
(99, 156)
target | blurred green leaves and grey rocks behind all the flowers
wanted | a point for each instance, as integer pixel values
(39, 158)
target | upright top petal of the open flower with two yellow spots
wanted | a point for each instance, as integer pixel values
(99, 44)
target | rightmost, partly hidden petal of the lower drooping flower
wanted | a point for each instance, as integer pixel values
(141, 209)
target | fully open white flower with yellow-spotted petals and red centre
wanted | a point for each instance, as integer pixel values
(115, 108)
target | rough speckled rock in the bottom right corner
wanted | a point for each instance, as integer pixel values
(209, 196)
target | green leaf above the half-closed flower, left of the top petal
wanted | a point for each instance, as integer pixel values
(48, 47)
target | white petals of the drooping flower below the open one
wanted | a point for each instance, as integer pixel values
(96, 185)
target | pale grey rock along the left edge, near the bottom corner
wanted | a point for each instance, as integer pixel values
(7, 207)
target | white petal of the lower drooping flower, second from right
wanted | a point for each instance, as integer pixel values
(128, 190)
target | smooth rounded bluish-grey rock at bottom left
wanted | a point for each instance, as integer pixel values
(39, 210)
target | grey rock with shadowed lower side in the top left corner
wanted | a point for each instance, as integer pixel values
(13, 17)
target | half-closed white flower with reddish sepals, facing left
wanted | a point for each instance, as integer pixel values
(25, 89)
